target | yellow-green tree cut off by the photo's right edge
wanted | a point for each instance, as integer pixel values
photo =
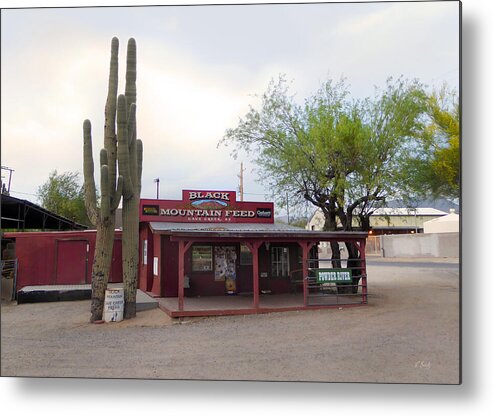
(434, 169)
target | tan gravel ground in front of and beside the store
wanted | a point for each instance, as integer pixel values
(409, 333)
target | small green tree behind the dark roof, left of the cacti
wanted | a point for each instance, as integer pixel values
(63, 195)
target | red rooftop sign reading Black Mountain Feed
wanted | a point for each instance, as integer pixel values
(206, 206)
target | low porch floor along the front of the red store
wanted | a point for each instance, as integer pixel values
(242, 305)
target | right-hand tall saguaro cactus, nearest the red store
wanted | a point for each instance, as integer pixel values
(130, 167)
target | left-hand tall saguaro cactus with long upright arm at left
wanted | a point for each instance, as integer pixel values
(103, 217)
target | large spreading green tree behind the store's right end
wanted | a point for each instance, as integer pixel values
(343, 156)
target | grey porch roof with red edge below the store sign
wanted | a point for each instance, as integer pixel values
(249, 230)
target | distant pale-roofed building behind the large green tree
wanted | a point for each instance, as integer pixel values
(389, 220)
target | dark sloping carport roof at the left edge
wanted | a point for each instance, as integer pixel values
(22, 215)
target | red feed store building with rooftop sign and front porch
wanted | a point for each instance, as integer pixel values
(211, 254)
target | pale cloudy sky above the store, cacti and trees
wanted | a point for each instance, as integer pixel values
(198, 68)
